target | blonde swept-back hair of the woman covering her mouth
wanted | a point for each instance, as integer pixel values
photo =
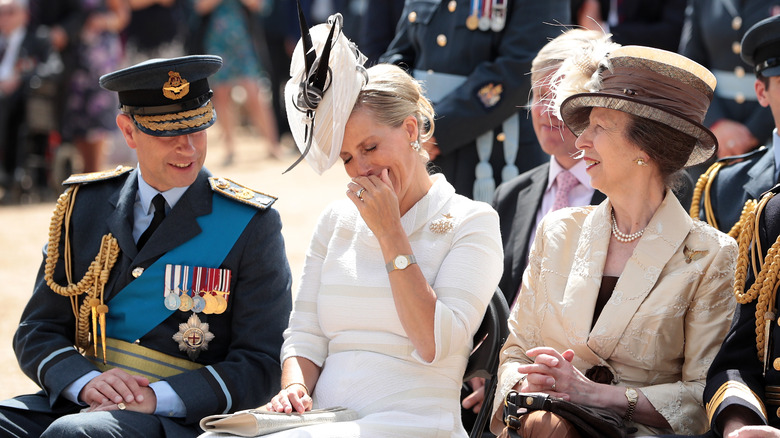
(391, 95)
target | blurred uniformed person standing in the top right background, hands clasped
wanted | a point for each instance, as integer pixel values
(711, 36)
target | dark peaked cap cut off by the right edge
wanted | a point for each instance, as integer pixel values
(761, 46)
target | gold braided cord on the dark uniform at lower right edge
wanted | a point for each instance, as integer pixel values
(765, 285)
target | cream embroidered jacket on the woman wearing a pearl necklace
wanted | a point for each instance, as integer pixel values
(662, 326)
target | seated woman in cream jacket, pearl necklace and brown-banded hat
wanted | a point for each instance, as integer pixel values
(624, 305)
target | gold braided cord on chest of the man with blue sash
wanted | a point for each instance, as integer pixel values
(93, 282)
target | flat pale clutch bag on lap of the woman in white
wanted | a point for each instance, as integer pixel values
(254, 422)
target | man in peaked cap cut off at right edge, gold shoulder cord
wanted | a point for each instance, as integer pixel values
(723, 190)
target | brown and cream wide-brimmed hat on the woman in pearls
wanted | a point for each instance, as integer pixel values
(653, 84)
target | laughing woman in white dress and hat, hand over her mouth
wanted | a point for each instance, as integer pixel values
(371, 329)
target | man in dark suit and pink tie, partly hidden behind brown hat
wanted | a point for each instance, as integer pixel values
(561, 182)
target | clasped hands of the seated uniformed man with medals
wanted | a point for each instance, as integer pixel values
(116, 389)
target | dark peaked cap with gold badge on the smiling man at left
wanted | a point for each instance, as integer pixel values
(167, 97)
